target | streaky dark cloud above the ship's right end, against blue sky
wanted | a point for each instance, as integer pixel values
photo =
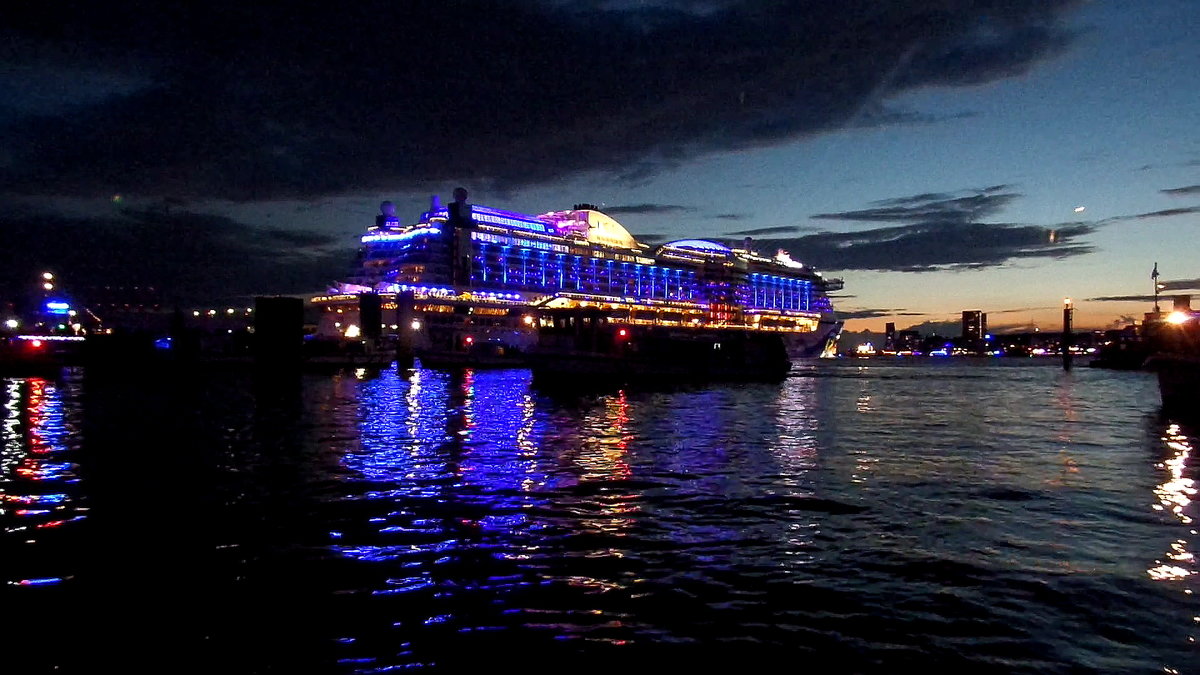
(940, 231)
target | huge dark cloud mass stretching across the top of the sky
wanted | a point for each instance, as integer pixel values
(249, 101)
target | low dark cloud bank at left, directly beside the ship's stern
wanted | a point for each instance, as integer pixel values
(194, 258)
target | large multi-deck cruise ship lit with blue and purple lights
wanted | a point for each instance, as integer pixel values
(472, 279)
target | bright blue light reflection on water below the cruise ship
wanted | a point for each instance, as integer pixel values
(457, 445)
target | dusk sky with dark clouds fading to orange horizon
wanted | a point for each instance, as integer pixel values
(935, 154)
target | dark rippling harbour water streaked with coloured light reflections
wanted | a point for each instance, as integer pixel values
(863, 517)
